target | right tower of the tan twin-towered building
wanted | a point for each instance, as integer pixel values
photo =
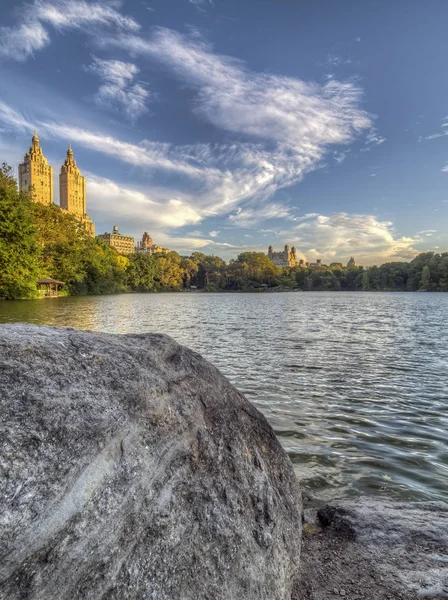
(72, 192)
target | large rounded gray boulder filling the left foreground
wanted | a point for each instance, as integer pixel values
(131, 468)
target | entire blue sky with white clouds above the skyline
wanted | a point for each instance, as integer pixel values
(225, 126)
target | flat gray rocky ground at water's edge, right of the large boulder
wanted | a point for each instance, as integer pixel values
(371, 549)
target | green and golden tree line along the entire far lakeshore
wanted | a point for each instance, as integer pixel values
(39, 241)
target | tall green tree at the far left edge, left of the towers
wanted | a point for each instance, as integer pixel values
(19, 253)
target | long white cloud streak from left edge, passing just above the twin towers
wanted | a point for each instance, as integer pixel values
(220, 176)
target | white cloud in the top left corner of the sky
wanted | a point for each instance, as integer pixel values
(20, 41)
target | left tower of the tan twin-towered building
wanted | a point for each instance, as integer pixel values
(35, 174)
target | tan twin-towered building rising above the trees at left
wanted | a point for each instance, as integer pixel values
(36, 174)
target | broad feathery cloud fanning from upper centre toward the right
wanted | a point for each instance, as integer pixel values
(300, 116)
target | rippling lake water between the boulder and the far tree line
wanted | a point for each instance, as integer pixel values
(355, 385)
